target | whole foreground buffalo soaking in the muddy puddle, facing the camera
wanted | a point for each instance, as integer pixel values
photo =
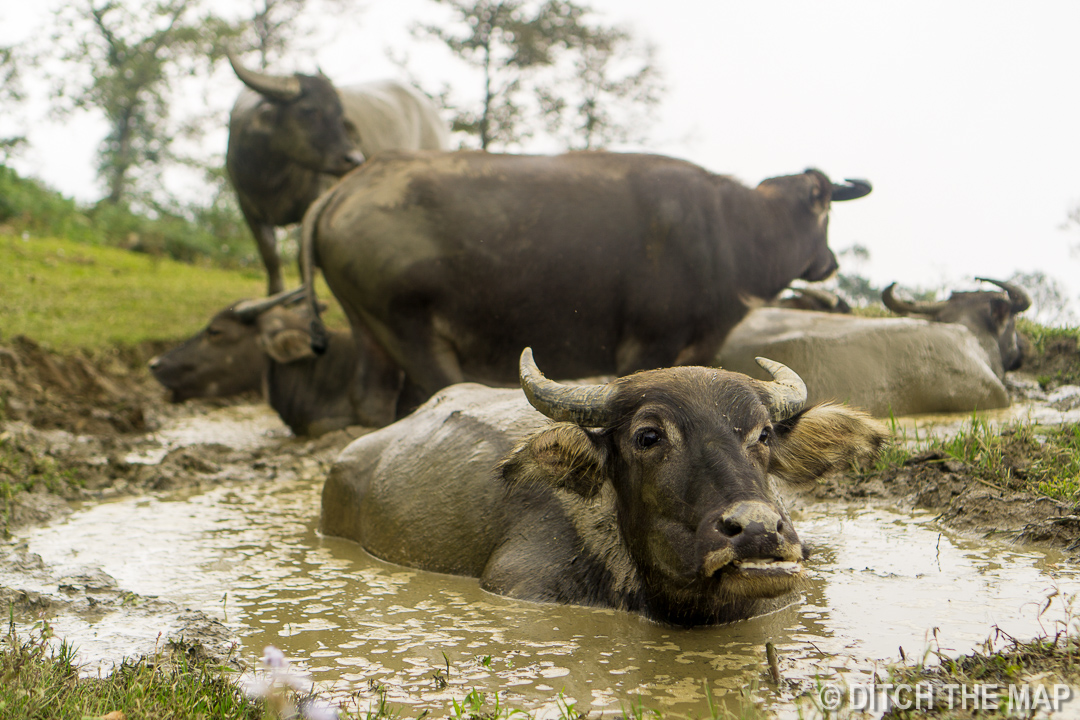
(651, 494)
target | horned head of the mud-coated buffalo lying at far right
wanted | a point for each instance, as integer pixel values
(991, 316)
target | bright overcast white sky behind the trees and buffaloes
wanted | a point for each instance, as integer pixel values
(965, 116)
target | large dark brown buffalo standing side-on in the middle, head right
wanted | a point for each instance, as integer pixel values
(449, 264)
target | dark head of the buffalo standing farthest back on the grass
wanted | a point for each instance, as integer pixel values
(303, 119)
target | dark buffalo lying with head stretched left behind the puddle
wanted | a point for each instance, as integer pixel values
(265, 346)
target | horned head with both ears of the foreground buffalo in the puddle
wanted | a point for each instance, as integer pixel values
(685, 456)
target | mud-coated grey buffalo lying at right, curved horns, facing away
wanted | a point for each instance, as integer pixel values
(893, 365)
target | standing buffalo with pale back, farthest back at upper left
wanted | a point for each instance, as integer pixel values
(291, 135)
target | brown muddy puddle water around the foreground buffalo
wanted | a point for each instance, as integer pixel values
(250, 555)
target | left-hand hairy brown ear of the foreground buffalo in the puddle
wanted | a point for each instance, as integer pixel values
(562, 456)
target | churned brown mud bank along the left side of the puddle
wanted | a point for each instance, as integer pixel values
(71, 426)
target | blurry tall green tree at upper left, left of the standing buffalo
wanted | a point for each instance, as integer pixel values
(129, 62)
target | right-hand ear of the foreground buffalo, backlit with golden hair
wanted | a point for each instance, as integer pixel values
(825, 440)
